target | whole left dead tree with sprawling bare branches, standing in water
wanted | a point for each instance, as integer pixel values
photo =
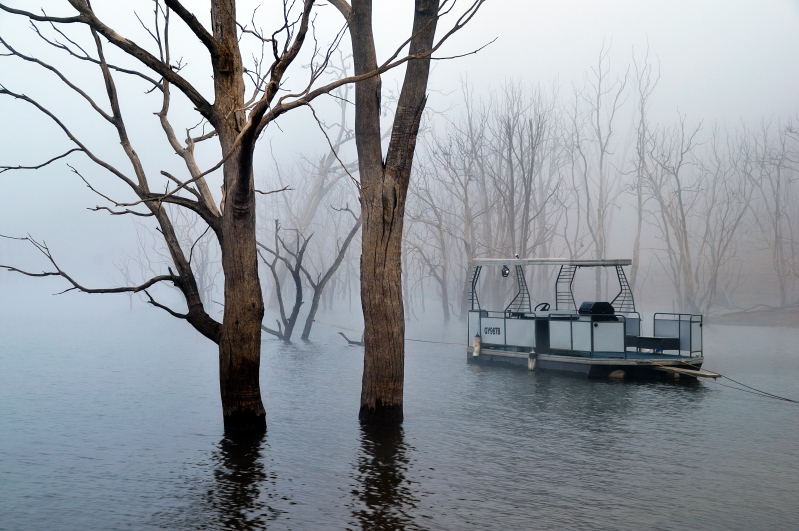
(244, 101)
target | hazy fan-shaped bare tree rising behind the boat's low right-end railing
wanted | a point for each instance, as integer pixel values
(701, 203)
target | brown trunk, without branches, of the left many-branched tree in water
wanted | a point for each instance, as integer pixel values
(240, 335)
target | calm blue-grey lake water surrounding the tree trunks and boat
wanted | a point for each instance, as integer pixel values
(111, 420)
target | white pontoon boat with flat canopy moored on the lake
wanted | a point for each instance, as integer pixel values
(597, 339)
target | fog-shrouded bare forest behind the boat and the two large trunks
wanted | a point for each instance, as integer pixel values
(707, 211)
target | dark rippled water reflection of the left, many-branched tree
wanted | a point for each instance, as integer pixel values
(239, 476)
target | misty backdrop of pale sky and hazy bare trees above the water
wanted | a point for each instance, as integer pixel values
(521, 112)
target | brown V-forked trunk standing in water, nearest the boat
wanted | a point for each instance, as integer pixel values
(383, 190)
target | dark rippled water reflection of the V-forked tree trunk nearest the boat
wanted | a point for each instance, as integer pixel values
(382, 488)
